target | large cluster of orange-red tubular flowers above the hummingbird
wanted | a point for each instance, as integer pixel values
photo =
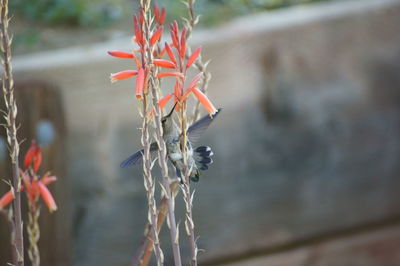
(171, 56)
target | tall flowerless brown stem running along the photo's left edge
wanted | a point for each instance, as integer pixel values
(11, 115)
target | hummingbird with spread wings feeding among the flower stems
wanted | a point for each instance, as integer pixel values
(198, 159)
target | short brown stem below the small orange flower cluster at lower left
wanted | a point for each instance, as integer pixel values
(33, 231)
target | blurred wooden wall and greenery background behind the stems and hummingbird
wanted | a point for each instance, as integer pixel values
(307, 147)
